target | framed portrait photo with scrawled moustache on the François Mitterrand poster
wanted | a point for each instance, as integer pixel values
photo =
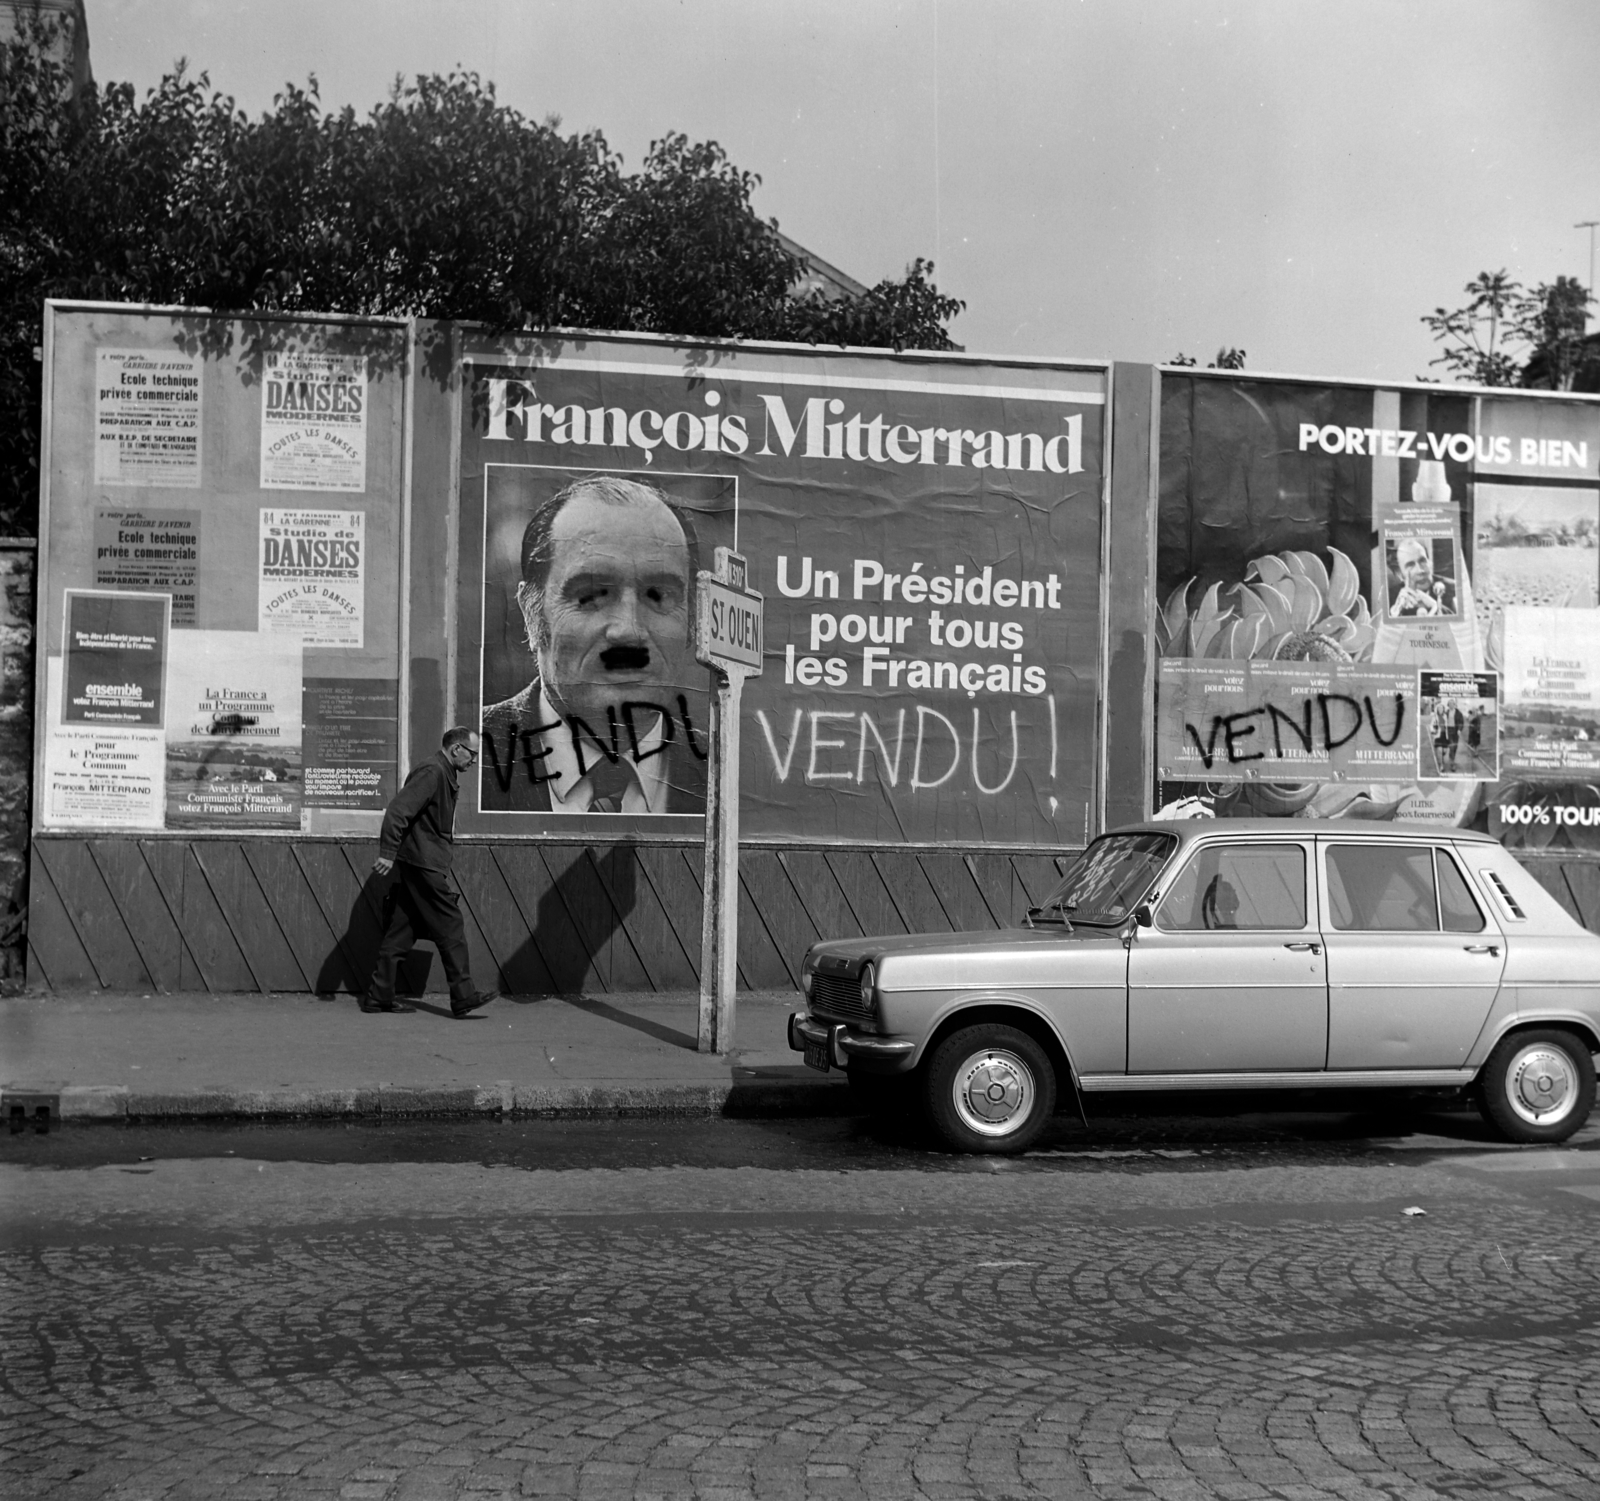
(593, 700)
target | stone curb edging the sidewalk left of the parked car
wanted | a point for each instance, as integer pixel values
(119, 1103)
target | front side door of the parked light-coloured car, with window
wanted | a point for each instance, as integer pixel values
(1231, 979)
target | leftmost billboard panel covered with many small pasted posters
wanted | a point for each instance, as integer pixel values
(215, 654)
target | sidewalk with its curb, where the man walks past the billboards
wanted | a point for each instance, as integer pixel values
(186, 1057)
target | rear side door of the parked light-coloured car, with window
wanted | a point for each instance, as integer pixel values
(1414, 958)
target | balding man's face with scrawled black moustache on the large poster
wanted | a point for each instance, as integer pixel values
(612, 623)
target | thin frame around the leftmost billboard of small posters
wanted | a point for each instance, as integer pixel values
(42, 578)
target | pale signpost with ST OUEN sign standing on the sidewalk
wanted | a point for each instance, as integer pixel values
(729, 639)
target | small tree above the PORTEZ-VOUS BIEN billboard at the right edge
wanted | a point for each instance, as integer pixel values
(1511, 335)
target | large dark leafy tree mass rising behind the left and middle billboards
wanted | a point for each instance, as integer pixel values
(441, 202)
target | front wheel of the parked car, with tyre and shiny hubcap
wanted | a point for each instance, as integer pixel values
(990, 1089)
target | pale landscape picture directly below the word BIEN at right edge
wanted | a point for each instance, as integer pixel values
(1537, 546)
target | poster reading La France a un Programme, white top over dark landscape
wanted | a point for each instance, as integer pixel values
(234, 758)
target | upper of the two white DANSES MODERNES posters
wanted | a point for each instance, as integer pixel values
(314, 422)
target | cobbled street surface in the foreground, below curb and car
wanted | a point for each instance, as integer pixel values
(1170, 1307)
